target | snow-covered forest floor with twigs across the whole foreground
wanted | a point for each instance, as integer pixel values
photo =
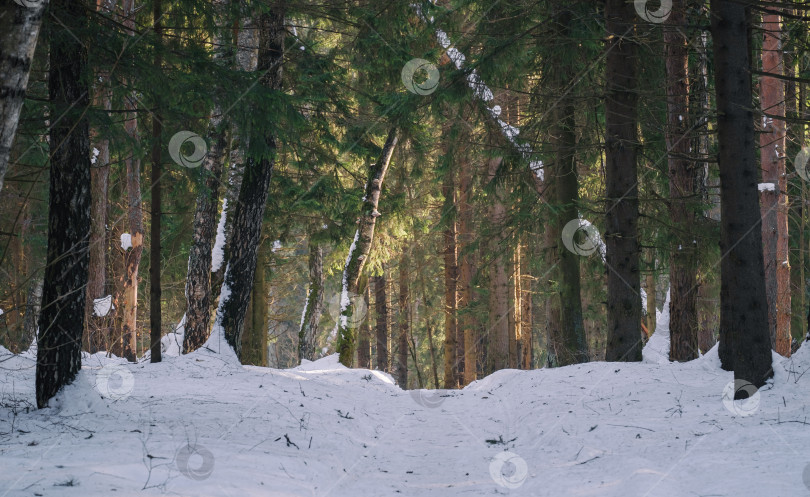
(202, 425)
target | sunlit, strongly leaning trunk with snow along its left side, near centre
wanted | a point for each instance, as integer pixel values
(360, 249)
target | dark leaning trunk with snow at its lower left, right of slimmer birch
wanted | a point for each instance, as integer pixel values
(249, 209)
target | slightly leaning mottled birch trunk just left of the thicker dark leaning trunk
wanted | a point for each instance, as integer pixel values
(198, 279)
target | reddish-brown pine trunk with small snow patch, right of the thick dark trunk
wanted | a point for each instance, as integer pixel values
(774, 202)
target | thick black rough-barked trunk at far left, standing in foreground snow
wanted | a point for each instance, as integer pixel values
(61, 321)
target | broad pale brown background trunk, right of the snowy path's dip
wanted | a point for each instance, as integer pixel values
(498, 343)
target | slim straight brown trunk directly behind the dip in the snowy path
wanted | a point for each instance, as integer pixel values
(451, 379)
